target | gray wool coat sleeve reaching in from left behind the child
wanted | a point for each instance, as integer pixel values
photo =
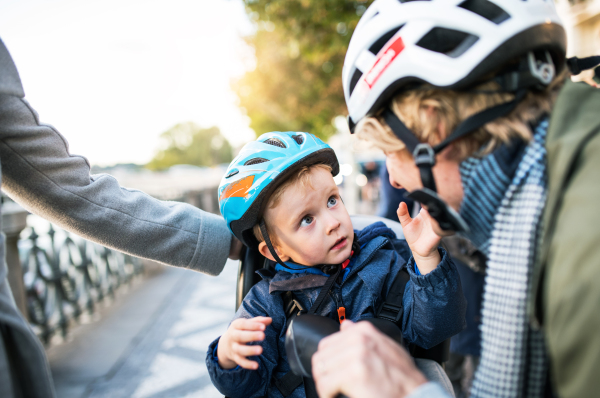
(40, 174)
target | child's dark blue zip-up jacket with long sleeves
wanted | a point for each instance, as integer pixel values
(434, 308)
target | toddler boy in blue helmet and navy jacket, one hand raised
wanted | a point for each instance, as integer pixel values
(288, 195)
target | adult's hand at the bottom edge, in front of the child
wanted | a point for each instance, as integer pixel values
(361, 362)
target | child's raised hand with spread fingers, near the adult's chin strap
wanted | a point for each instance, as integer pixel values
(421, 239)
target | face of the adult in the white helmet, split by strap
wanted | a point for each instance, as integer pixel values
(405, 174)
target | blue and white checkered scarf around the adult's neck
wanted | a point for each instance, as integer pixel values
(504, 197)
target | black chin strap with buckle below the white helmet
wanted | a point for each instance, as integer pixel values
(424, 155)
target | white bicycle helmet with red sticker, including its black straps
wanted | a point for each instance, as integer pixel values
(449, 44)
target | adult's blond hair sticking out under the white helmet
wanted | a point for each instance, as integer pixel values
(426, 111)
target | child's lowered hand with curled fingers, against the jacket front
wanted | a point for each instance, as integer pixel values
(233, 350)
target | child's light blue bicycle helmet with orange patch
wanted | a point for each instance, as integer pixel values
(260, 167)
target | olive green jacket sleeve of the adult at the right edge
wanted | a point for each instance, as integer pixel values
(571, 293)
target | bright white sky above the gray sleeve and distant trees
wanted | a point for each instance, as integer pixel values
(112, 75)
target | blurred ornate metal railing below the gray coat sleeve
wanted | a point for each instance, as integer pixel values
(68, 277)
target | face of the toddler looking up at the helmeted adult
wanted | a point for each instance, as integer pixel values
(312, 226)
